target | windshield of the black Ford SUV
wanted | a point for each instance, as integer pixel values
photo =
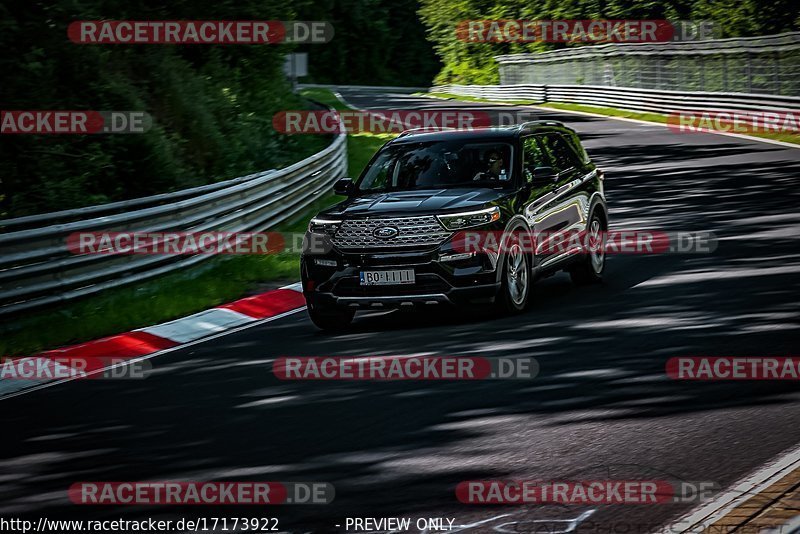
(439, 164)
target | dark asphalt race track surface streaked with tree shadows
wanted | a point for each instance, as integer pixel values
(601, 407)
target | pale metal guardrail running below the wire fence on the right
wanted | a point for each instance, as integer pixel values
(627, 98)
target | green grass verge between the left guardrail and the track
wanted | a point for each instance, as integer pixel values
(216, 281)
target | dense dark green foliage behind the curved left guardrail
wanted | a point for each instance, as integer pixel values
(211, 105)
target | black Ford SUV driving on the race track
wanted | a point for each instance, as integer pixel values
(396, 241)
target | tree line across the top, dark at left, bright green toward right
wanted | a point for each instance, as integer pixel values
(212, 104)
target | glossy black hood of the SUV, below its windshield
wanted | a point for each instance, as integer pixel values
(417, 202)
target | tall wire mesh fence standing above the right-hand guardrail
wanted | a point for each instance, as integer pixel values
(761, 65)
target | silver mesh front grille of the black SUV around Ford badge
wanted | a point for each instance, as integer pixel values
(411, 231)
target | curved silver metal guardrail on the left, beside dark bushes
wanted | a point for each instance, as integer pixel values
(37, 269)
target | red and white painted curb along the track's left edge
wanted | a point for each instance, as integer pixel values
(145, 342)
